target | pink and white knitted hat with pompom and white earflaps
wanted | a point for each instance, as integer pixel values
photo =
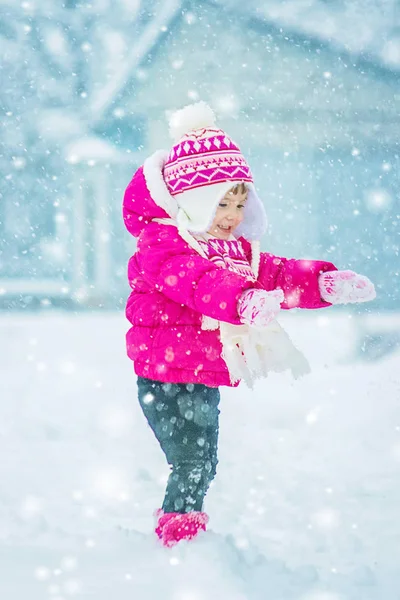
(202, 166)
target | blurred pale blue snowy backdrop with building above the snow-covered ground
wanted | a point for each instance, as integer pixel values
(309, 89)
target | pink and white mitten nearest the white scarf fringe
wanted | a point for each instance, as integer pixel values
(258, 307)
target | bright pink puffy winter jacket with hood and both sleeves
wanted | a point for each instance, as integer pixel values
(173, 287)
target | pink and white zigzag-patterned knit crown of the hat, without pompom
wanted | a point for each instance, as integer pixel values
(203, 157)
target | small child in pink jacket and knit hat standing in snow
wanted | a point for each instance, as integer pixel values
(204, 301)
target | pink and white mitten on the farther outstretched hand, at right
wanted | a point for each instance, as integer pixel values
(343, 287)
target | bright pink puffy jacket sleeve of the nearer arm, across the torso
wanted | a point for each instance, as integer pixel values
(169, 264)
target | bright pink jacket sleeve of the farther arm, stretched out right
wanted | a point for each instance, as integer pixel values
(297, 278)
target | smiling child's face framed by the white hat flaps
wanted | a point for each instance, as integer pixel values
(229, 213)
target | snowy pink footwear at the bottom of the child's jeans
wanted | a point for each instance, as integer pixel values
(173, 527)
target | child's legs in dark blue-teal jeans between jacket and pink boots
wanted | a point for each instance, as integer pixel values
(184, 419)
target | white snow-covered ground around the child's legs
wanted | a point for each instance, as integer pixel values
(306, 501)
